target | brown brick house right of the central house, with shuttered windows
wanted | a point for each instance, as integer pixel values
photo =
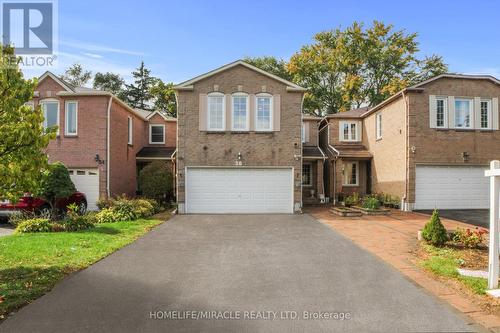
(427, 145)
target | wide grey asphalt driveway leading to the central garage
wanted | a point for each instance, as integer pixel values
(261, 273)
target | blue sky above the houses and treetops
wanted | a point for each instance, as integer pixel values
(178, 40)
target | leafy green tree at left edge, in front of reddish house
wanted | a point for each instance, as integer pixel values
(22, 135)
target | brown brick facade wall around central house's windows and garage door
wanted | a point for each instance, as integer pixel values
(197, 147)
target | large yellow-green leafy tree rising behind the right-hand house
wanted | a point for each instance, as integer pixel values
(357, 66)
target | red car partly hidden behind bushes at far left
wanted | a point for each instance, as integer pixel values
(40, 206)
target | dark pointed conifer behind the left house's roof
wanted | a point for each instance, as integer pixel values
(139, 92)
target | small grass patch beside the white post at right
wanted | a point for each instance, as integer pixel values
(445, 261)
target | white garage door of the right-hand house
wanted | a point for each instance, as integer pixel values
(447, 187)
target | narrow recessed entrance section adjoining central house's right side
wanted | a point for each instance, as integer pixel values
(313, 162)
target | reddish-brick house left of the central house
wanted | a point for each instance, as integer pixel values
(101, 140)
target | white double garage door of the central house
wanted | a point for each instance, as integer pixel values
(239, 190)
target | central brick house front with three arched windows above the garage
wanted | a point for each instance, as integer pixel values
(239, 142)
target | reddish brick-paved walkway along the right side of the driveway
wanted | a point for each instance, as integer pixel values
(393, 238)
